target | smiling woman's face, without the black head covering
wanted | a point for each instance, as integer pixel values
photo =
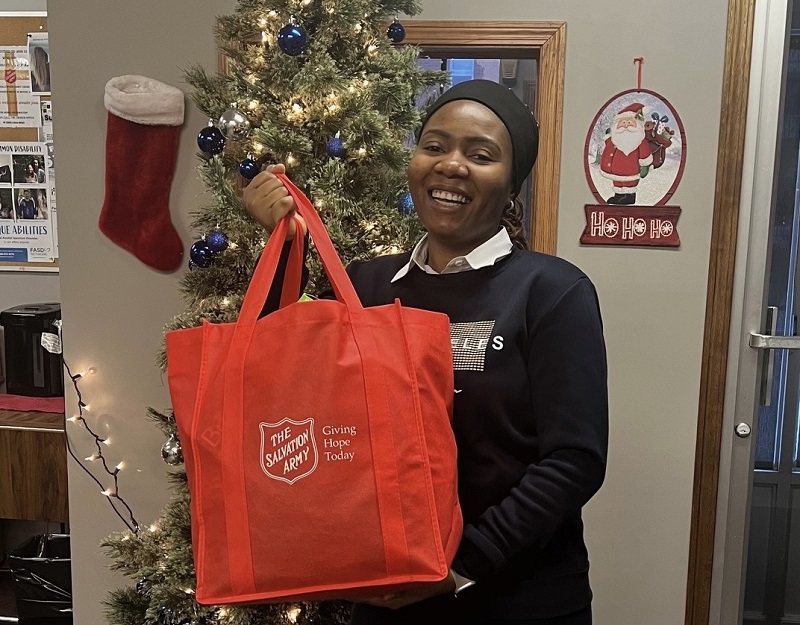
(460, 175)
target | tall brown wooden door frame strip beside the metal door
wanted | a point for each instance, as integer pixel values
(719, 299)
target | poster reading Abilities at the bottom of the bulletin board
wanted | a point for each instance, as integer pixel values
(26, 215)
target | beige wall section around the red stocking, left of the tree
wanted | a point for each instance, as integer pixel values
(114, 307)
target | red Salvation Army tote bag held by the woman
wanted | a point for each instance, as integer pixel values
(317, 440)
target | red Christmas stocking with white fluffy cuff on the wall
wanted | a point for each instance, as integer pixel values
(144, 117)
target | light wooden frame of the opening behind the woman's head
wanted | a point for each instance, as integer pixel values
(548, 40)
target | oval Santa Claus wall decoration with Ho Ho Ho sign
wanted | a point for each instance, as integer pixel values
(635, 157)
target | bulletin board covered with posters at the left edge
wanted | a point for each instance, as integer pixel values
(28, 216)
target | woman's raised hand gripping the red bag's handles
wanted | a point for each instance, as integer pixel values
(268, 201)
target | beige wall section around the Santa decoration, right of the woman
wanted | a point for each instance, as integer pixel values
(653, 301)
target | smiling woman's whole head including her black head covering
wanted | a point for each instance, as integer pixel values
(468, 157)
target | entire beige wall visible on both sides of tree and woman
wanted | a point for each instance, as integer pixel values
(653, 300)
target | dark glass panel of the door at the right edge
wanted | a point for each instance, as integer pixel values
(772, 574)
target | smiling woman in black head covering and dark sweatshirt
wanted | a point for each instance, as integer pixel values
(530, 411)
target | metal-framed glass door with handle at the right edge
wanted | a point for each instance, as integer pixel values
(761, 581)
